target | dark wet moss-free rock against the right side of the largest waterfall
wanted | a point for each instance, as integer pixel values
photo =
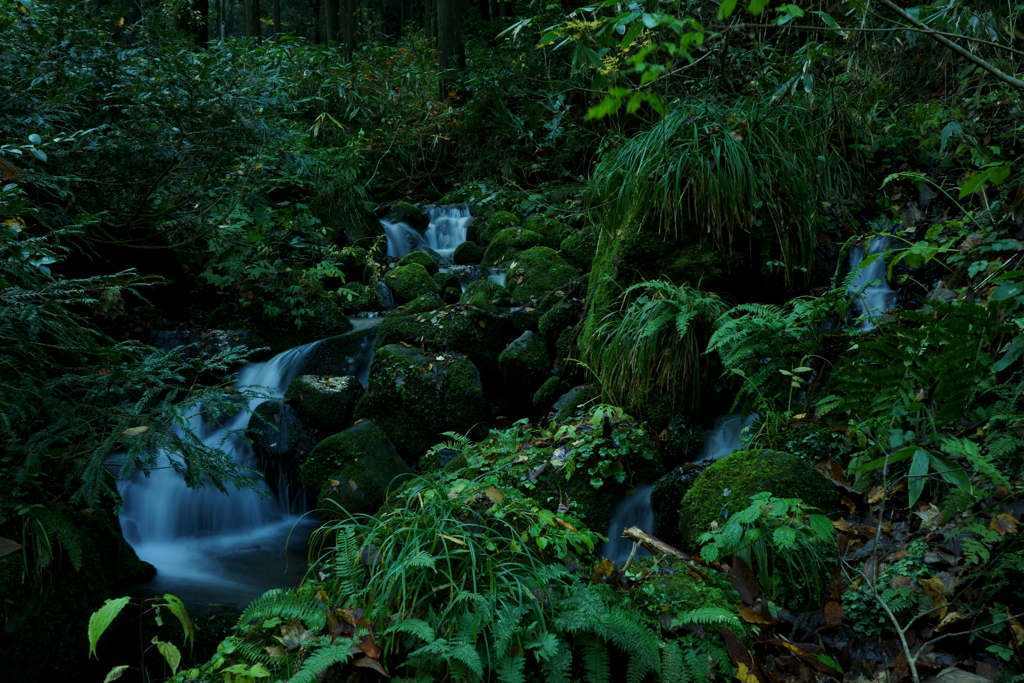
(281, 442)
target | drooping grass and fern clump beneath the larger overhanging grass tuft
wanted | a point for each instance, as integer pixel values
(654, 344)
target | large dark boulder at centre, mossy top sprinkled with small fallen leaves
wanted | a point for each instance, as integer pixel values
(415, 399)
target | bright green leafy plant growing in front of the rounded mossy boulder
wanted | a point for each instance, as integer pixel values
(789, 547)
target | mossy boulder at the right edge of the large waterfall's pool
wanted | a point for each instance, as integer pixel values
(353, 472)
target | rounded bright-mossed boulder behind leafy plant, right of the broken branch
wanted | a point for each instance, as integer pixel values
(729, 484)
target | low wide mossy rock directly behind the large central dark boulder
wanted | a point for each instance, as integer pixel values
(474, 332)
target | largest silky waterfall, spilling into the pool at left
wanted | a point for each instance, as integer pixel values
(207, 545)
